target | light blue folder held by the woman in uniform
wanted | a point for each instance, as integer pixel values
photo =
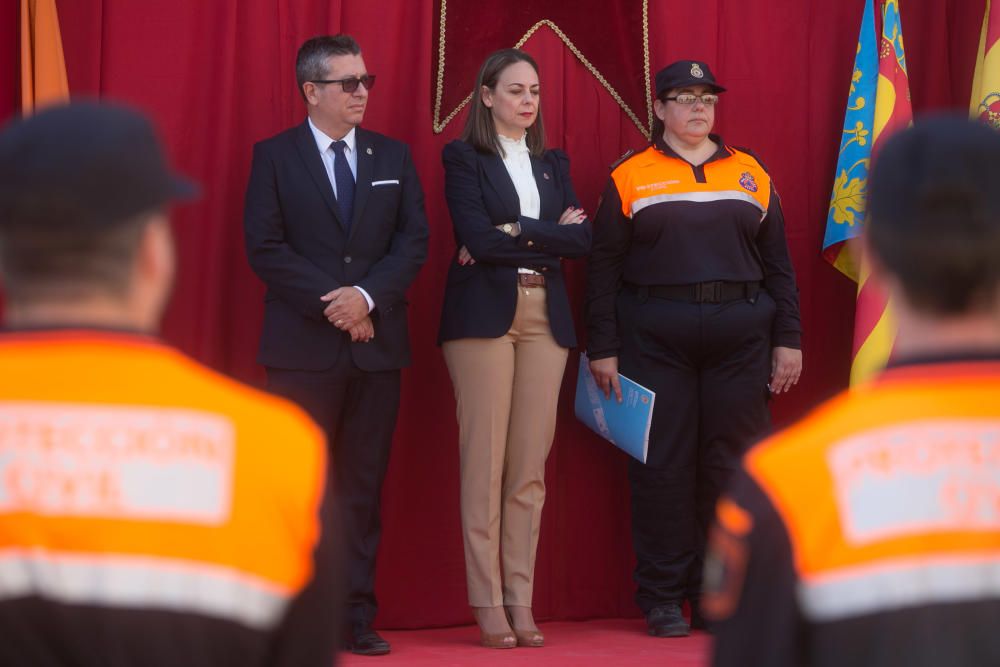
(626, 424)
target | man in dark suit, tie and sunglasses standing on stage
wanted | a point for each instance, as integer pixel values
(335, 227)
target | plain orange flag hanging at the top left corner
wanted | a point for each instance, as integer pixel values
(43, 66)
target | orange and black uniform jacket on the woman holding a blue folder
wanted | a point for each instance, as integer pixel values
(663, 221)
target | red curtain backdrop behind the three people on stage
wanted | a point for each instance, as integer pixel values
(218, 76)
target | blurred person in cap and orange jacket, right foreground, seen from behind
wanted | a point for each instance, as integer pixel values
(869, 532)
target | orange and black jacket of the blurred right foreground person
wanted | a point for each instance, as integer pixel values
(869, 532)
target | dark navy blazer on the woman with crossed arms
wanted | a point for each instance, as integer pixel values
(480, 299)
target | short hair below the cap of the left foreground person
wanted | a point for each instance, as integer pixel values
(42, 261)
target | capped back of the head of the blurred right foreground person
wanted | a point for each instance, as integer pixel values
(934, 214)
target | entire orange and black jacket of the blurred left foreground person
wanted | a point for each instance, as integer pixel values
(154, 512)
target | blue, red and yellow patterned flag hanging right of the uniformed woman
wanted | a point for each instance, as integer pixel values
(878, 105)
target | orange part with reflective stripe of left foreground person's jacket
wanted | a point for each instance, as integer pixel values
(132, 476)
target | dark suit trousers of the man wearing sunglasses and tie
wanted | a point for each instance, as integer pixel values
(357, 409)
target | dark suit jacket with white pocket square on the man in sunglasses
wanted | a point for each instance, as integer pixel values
(298, 245)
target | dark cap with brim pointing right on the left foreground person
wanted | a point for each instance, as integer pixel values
(84, 165)
